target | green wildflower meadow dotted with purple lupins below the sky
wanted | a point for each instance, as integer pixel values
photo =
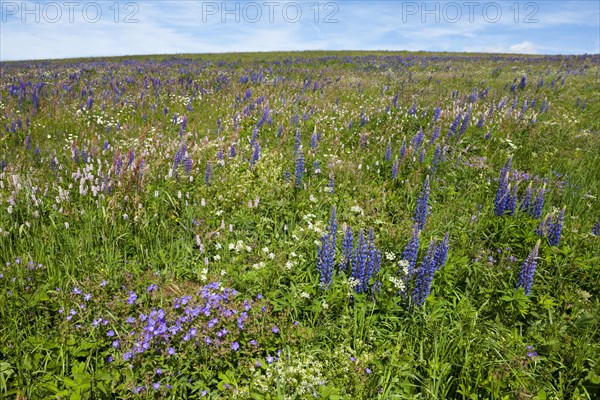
(341, 225)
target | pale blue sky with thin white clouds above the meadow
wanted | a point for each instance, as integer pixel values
(59, 29)
